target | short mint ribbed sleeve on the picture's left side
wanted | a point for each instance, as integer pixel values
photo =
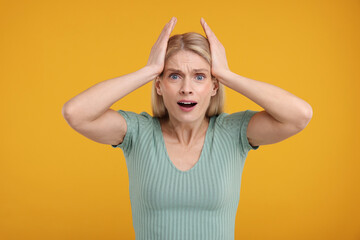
(133, 123)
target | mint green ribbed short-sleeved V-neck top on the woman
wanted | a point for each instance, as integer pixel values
(171, 204)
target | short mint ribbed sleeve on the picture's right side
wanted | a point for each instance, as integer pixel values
(237, 124)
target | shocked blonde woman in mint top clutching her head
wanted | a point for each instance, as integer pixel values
(185, 162)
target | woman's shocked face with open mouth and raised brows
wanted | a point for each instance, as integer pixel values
(186, 86)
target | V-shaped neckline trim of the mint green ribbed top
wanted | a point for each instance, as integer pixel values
(202, 150)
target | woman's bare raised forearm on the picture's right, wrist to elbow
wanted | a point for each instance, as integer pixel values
(280, 104)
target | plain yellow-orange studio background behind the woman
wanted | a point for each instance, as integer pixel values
(57, 184)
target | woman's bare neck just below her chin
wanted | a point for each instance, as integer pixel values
(185, 133)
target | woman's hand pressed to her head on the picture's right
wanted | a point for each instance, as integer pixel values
(218, 56)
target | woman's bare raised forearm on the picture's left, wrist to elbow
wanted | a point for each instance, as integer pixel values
(93, 102)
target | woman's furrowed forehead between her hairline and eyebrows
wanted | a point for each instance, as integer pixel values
(186, 61)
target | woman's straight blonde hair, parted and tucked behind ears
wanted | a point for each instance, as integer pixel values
(198, 44)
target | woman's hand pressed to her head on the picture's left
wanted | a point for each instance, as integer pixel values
(157, 55)
